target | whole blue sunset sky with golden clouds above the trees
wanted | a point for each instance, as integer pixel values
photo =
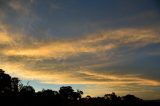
(97, 46)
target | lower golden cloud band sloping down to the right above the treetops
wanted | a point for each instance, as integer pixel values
(72, 77)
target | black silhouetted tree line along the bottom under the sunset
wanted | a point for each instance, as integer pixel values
(14, 93)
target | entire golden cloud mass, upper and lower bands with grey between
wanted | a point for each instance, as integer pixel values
(83, 60)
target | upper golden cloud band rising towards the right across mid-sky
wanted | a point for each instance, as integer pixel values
(89, 44)
